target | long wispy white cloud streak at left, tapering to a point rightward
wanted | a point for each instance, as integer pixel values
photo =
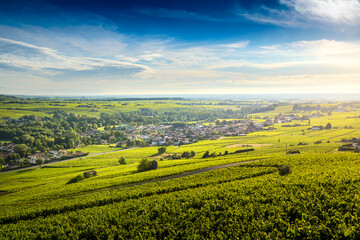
(49, 61)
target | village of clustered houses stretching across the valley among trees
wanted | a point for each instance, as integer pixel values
(151, 135)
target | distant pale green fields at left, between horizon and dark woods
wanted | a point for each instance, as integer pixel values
(94, 108)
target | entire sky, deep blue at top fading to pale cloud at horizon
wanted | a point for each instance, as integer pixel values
(87, 47)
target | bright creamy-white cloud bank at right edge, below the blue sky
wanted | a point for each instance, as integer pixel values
(323, 53)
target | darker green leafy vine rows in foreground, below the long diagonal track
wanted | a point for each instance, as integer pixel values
(318, 200)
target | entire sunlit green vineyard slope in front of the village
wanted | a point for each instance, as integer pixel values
(316, 198)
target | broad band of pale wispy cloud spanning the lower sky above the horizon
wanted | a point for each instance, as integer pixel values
(169, 66)
